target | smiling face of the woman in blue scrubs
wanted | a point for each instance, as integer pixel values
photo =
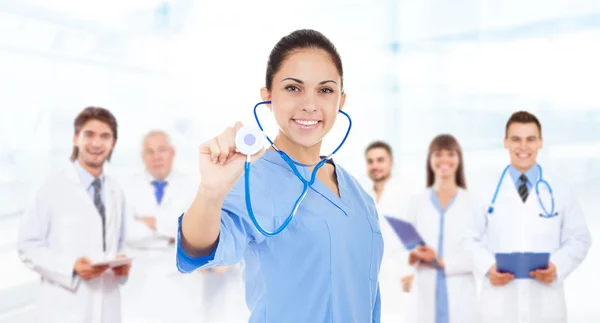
(305, 96)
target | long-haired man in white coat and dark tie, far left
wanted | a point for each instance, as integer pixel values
(75, 219)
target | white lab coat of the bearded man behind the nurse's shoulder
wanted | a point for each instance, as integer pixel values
(394, 302)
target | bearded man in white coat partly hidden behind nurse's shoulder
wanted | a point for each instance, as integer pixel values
(390, 197)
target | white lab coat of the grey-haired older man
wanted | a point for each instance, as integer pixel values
(156, 291)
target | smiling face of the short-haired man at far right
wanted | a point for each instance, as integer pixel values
(523, 141)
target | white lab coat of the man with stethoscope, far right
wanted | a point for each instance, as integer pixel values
(517, 227)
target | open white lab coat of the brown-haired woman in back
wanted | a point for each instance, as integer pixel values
(460, 279)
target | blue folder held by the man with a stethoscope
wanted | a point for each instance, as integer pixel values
(521, 264)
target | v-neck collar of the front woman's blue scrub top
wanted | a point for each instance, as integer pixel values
(319, 187)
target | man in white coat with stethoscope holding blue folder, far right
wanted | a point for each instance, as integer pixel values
(520, 222)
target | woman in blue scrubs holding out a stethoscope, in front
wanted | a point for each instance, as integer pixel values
(324, 266)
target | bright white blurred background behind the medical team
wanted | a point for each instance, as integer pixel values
(413, 69)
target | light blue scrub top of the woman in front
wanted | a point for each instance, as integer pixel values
(322, 268)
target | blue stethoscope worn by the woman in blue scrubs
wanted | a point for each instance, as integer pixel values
(292, 164)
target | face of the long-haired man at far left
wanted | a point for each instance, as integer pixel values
(95, 142)
